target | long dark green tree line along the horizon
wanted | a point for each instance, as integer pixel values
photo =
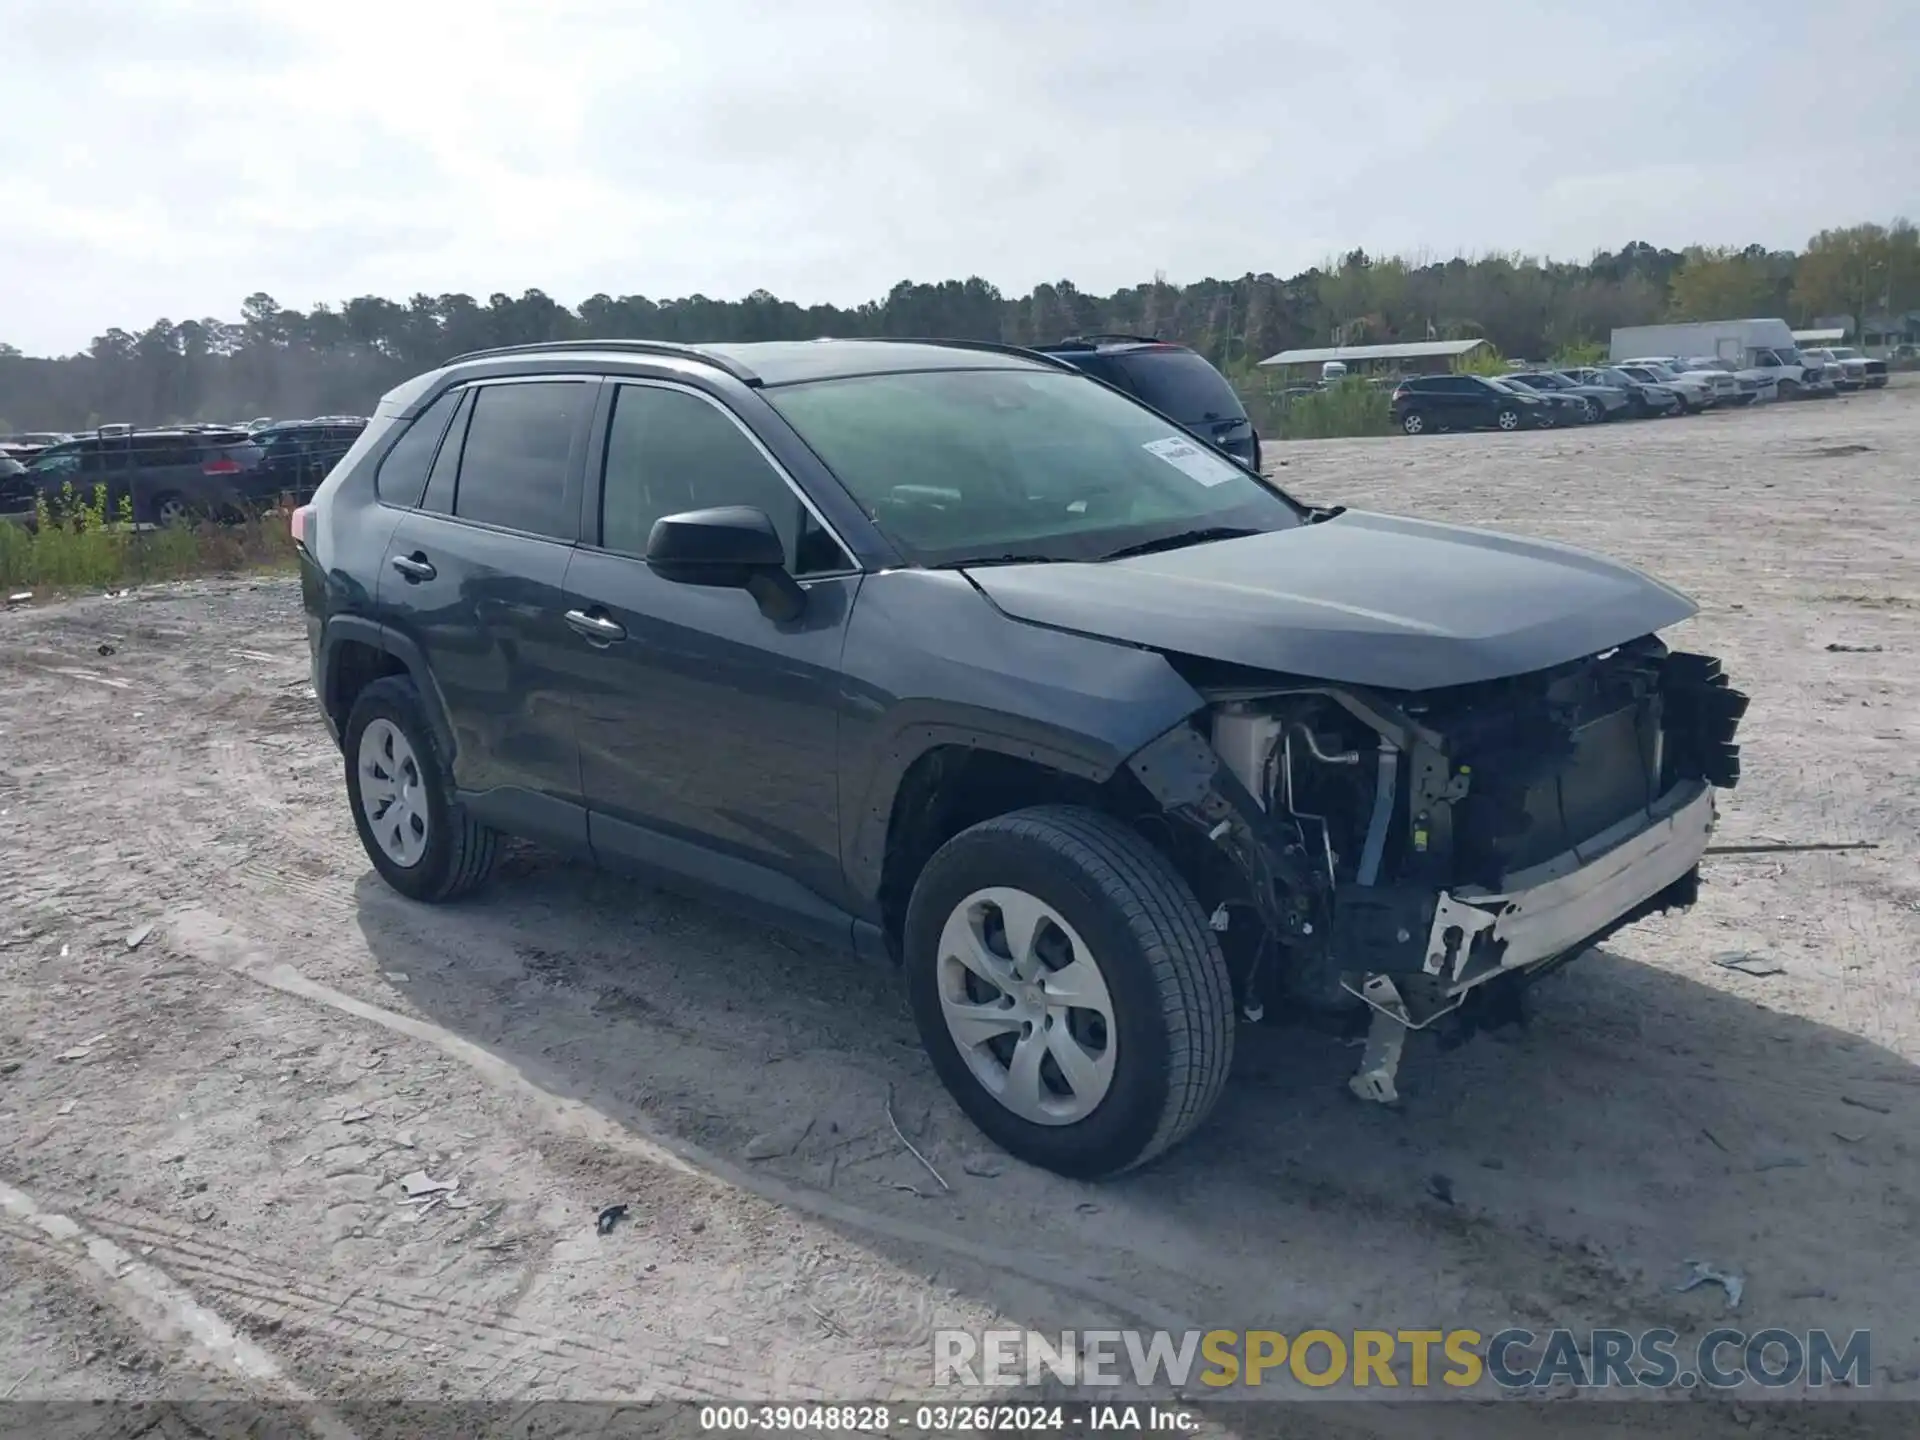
(343, 358)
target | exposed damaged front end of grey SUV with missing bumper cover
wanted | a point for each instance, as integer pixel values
(1426, 855)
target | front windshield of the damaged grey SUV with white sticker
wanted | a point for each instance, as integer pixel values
(980, 466)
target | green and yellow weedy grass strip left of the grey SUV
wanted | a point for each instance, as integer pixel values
(82, 546)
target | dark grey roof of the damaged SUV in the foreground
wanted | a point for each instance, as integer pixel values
(788, 362)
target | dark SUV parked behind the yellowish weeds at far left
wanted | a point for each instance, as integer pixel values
(170, 477)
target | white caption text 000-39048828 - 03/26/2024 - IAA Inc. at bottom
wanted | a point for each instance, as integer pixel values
(948, 1420)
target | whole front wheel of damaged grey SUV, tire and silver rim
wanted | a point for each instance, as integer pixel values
(1068, 990)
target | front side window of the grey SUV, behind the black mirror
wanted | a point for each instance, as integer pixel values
(673, 452)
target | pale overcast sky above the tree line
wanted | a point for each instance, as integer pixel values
(174, 156)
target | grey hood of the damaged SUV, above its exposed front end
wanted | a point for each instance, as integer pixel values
(1360, 600)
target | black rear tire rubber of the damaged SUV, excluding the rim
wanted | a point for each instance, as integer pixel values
(460, 852)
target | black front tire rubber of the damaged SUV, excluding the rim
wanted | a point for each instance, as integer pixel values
(1155, 949)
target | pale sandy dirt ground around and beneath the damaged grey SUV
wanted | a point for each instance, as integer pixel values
(226, 1045)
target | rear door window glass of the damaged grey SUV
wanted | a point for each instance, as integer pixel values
(514, 466)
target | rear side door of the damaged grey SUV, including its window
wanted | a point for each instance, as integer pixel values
(475, 579)
